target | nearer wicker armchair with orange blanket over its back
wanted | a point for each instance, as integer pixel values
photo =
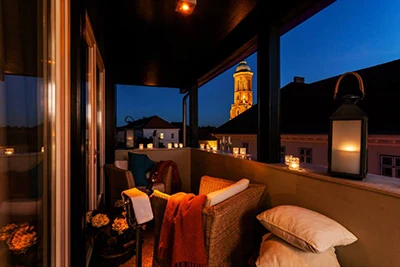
(228, 226)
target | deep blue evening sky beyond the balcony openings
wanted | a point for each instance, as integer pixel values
(348, 35)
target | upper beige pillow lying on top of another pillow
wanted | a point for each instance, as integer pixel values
(305, 229)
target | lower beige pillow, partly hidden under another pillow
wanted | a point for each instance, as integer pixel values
(275, 252)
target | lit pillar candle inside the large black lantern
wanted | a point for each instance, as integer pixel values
(346, 160)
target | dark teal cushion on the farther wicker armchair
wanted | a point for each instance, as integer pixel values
(139, 165)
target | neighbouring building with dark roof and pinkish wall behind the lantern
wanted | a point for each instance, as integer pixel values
(304, 132)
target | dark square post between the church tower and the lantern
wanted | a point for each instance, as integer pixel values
(268, 95)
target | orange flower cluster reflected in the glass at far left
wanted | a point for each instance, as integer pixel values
(18, 238)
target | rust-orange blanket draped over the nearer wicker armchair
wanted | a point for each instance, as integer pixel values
(181, 238)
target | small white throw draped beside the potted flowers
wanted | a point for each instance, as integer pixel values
(140, 203)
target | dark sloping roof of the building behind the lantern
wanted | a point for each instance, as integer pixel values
(306, 108)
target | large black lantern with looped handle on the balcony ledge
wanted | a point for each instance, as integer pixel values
(348, 136)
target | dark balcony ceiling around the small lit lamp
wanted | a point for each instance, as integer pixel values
(151, 44)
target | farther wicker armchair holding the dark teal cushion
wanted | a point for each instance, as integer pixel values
(118, 180)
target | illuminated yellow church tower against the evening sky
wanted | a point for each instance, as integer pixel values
(243, 89)
